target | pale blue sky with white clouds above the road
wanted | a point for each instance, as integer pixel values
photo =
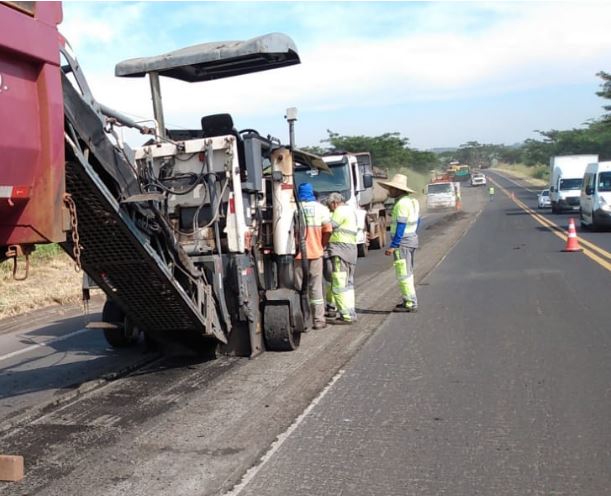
(439, 73)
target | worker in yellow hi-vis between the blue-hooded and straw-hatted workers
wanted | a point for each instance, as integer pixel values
(342, 252)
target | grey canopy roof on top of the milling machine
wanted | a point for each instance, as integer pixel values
(216, 60)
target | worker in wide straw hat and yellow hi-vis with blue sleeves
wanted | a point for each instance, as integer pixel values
(404, 222)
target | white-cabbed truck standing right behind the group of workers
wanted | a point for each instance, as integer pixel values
(353, 175)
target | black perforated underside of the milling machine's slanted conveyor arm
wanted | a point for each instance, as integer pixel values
(118, 258)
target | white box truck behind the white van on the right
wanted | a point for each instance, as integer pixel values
(566, 178)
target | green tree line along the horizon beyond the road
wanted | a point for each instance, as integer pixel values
(392, 151)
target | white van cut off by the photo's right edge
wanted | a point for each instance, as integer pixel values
(595, 200)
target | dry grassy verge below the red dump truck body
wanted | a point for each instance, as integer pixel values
(52, 280)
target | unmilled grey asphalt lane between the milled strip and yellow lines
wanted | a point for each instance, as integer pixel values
(500, 385)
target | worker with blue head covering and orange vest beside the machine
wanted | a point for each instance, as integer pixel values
(318, 230)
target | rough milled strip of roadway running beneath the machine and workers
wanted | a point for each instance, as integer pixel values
(190, 427)
